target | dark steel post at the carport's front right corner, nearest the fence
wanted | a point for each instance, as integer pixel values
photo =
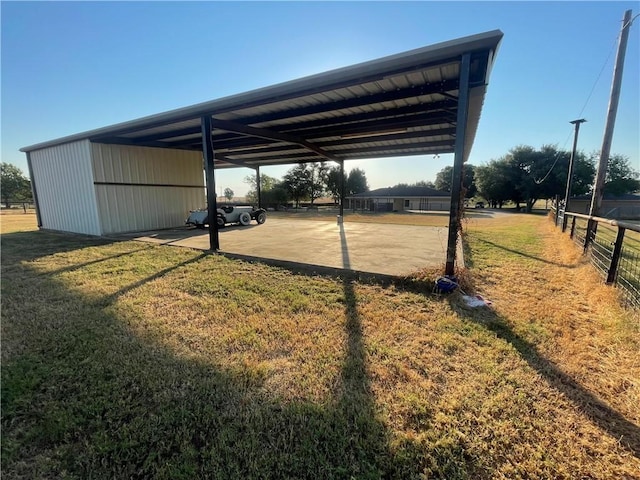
(458, 164)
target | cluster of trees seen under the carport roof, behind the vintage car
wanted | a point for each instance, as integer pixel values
(306, 182)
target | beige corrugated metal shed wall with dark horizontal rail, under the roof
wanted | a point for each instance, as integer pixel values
(129, 208)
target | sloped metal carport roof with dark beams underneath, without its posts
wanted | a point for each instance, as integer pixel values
(369, 98)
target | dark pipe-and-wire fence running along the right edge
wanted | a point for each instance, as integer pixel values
(613, 248)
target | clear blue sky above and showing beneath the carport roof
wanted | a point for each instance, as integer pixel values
(68, 67)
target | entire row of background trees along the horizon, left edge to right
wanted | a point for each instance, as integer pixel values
(522, 176)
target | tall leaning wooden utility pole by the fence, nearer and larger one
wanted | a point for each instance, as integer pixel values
(598, 190)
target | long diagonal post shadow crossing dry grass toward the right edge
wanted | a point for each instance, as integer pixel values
(607, 419)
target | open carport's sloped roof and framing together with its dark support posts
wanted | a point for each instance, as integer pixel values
(422, 102)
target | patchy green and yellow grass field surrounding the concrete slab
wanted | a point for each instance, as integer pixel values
(128, 360)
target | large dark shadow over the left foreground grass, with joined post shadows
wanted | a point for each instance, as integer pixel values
(86, 396)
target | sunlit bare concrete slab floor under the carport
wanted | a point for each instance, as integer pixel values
(364, 247)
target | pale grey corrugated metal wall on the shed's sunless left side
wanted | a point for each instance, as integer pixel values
(66, 195)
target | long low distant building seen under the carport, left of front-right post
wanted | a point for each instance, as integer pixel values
(400, 199)
